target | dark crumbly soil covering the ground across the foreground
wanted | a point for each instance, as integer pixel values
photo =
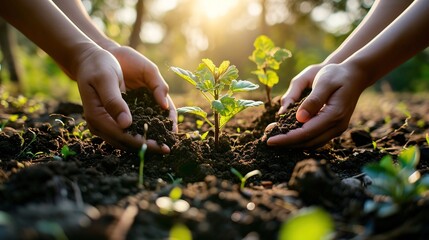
(93, 194)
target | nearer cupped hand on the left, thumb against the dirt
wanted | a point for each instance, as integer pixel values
(100, 82)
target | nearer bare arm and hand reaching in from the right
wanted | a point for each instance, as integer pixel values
(337, 87)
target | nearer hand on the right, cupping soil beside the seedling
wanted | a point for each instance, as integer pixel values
(326, 112)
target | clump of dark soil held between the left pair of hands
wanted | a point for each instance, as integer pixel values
(145, 110)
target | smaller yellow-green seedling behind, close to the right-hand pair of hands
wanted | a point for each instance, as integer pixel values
(268, 58)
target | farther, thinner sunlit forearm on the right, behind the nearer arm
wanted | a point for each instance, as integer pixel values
(382, 13)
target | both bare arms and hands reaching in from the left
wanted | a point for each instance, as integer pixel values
(78, 49)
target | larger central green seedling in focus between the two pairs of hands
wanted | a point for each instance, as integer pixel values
(217, 85)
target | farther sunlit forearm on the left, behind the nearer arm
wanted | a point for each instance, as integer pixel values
(76, 12)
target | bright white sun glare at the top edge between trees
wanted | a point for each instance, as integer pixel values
(215, 8)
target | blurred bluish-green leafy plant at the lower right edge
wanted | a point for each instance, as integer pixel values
(401, 183)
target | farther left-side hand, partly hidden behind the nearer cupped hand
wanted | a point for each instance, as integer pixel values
(139, 71)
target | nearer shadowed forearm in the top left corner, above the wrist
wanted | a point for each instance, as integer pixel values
(44, 24)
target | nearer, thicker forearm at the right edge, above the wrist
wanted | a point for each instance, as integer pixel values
(404, 38)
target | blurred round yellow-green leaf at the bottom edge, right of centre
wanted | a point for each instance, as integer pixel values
(297, 227)
